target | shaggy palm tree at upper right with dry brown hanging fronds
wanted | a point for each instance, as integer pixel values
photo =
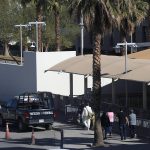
(131, 14)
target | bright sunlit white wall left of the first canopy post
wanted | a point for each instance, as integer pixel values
(57, 83)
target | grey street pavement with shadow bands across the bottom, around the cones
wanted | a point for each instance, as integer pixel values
(75, 137)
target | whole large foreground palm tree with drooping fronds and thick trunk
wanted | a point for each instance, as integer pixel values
(98, 17)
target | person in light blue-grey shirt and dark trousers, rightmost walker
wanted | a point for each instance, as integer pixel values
(132, 123)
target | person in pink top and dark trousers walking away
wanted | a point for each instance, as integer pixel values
(111, 117)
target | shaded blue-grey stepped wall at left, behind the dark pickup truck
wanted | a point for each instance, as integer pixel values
(15, 79)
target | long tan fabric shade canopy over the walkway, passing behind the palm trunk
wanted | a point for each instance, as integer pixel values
(111, 67)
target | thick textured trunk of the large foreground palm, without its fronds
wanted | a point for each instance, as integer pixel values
(98, 136)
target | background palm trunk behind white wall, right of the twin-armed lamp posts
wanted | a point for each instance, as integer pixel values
(57, 30)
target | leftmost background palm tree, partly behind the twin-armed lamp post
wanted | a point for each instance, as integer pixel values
(40, 7)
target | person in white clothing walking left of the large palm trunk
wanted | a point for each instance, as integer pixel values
(87, 115)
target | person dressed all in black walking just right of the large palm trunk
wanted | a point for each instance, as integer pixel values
(105, 122)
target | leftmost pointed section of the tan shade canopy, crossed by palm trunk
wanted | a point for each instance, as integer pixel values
(82, 64)
